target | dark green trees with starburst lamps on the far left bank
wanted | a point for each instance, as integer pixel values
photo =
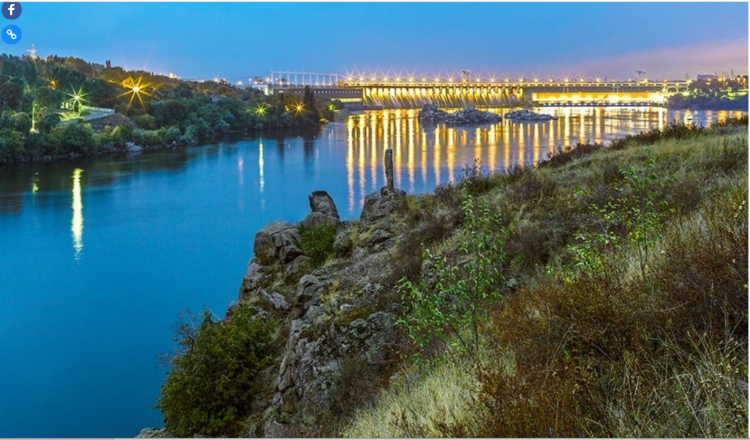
(43, 104)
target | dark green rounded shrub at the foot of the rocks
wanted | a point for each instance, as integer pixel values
(210, 385)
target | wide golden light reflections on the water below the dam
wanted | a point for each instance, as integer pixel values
(497, 146)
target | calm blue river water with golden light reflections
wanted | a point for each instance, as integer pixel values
(98, 257)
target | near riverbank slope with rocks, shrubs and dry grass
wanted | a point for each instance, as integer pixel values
(553, 295)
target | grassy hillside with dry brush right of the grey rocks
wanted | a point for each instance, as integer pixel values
(617, 305)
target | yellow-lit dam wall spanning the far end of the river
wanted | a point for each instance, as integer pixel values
(410, 95)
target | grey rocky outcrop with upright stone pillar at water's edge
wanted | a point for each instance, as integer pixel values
(330, 317)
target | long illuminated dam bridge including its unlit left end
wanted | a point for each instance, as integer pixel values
(406, 93)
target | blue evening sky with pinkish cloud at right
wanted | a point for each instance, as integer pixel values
(238, 40)
